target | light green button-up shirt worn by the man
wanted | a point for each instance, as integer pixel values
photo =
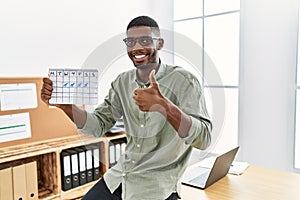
(155, 156)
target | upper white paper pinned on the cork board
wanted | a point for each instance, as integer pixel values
(18, 96)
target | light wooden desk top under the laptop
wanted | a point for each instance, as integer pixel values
(257, 183)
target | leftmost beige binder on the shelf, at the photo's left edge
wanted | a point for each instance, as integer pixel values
(6, 184)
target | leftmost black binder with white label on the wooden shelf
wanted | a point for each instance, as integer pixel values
(65, 170)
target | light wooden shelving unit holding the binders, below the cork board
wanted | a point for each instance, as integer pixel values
(47, 155)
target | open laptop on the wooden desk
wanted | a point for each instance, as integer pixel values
(202, 176)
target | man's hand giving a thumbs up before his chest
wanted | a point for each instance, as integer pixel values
(149, 99)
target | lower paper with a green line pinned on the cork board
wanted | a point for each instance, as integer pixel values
(14, 127)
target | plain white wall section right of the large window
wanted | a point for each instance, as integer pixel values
(267, 79)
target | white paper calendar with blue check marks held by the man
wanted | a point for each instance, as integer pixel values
(74, 86)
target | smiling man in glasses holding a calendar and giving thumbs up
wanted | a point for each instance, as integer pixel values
(164, 114)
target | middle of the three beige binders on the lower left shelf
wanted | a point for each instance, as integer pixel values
(19, 181)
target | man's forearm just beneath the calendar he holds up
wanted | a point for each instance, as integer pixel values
(77, 115)
